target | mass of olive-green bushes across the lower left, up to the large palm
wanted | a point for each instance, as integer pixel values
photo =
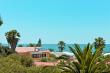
(15, 63)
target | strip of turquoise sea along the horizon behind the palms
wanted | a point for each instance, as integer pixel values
(55, 47)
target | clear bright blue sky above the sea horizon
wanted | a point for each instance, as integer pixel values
(72, 21)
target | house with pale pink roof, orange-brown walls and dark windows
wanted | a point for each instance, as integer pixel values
(34, 52)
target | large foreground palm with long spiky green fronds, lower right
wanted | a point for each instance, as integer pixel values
(87, 61)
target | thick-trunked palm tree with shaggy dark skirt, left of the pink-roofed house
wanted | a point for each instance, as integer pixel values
(12, 39)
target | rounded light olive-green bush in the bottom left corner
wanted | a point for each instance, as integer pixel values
(8, 65)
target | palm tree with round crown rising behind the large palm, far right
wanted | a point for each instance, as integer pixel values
(99, 43)
